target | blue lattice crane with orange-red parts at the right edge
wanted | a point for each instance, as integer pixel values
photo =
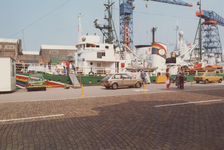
(209, 31)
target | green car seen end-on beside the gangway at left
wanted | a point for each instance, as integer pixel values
(36, 81)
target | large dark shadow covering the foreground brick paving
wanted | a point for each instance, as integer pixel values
(134, 124)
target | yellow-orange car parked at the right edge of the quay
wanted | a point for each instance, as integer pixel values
(207, 77)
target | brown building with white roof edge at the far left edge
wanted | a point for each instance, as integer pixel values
(10, 48)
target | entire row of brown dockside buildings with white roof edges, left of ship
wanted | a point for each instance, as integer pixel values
(48, 53)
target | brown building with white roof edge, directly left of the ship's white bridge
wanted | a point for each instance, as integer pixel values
(56, 53)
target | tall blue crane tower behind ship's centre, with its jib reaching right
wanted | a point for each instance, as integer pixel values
(126, 18)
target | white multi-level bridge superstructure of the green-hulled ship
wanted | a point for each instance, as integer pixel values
(93, 56)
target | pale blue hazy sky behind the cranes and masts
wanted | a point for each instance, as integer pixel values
(55, 22)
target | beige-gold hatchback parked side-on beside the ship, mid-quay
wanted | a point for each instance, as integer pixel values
(120, 79)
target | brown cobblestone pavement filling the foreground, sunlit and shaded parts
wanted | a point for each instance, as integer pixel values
(117, 122)
